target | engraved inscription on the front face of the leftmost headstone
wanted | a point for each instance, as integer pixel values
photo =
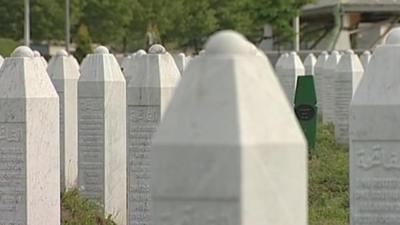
(12, 174)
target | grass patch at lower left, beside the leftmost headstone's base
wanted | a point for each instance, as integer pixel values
(77, 211)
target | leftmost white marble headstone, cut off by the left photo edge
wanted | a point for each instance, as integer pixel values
(29, 143)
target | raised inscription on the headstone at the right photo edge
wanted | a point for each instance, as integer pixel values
(376, 199)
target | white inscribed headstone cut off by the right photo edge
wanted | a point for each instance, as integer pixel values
(375, 139)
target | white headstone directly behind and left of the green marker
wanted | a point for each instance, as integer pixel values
(291, 68)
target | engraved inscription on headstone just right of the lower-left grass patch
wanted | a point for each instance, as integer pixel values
(91, 144)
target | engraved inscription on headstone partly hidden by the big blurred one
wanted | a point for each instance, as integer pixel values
(143, 123)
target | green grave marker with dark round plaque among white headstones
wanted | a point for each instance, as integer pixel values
(305, 107)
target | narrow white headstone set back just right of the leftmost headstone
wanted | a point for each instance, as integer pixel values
(64, 74)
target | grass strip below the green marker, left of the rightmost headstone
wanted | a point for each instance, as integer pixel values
(328, 181)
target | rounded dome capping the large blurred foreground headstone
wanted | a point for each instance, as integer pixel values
(227, 42)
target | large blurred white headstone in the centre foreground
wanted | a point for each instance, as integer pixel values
(223, 156)
